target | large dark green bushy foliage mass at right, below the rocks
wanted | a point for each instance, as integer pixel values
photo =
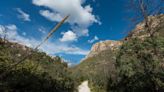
(140, 66)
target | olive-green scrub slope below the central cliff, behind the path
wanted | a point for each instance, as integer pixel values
(96, 70)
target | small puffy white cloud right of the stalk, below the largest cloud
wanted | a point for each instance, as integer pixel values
(68, 36)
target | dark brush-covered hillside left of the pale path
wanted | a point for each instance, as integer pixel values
(37, 73)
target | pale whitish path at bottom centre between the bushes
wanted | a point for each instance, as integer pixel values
(84, 87)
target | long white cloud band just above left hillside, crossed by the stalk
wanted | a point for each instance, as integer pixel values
(49, 47)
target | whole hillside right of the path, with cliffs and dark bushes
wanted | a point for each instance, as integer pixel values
(134, 64)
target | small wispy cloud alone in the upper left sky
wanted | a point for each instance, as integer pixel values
(23, 15)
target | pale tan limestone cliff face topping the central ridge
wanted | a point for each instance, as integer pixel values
(104, 45)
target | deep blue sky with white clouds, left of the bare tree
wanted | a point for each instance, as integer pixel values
(29, 21)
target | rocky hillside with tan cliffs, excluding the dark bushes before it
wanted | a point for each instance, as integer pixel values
(101, 63)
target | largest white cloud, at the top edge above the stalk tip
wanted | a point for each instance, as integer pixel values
(81, 17)
